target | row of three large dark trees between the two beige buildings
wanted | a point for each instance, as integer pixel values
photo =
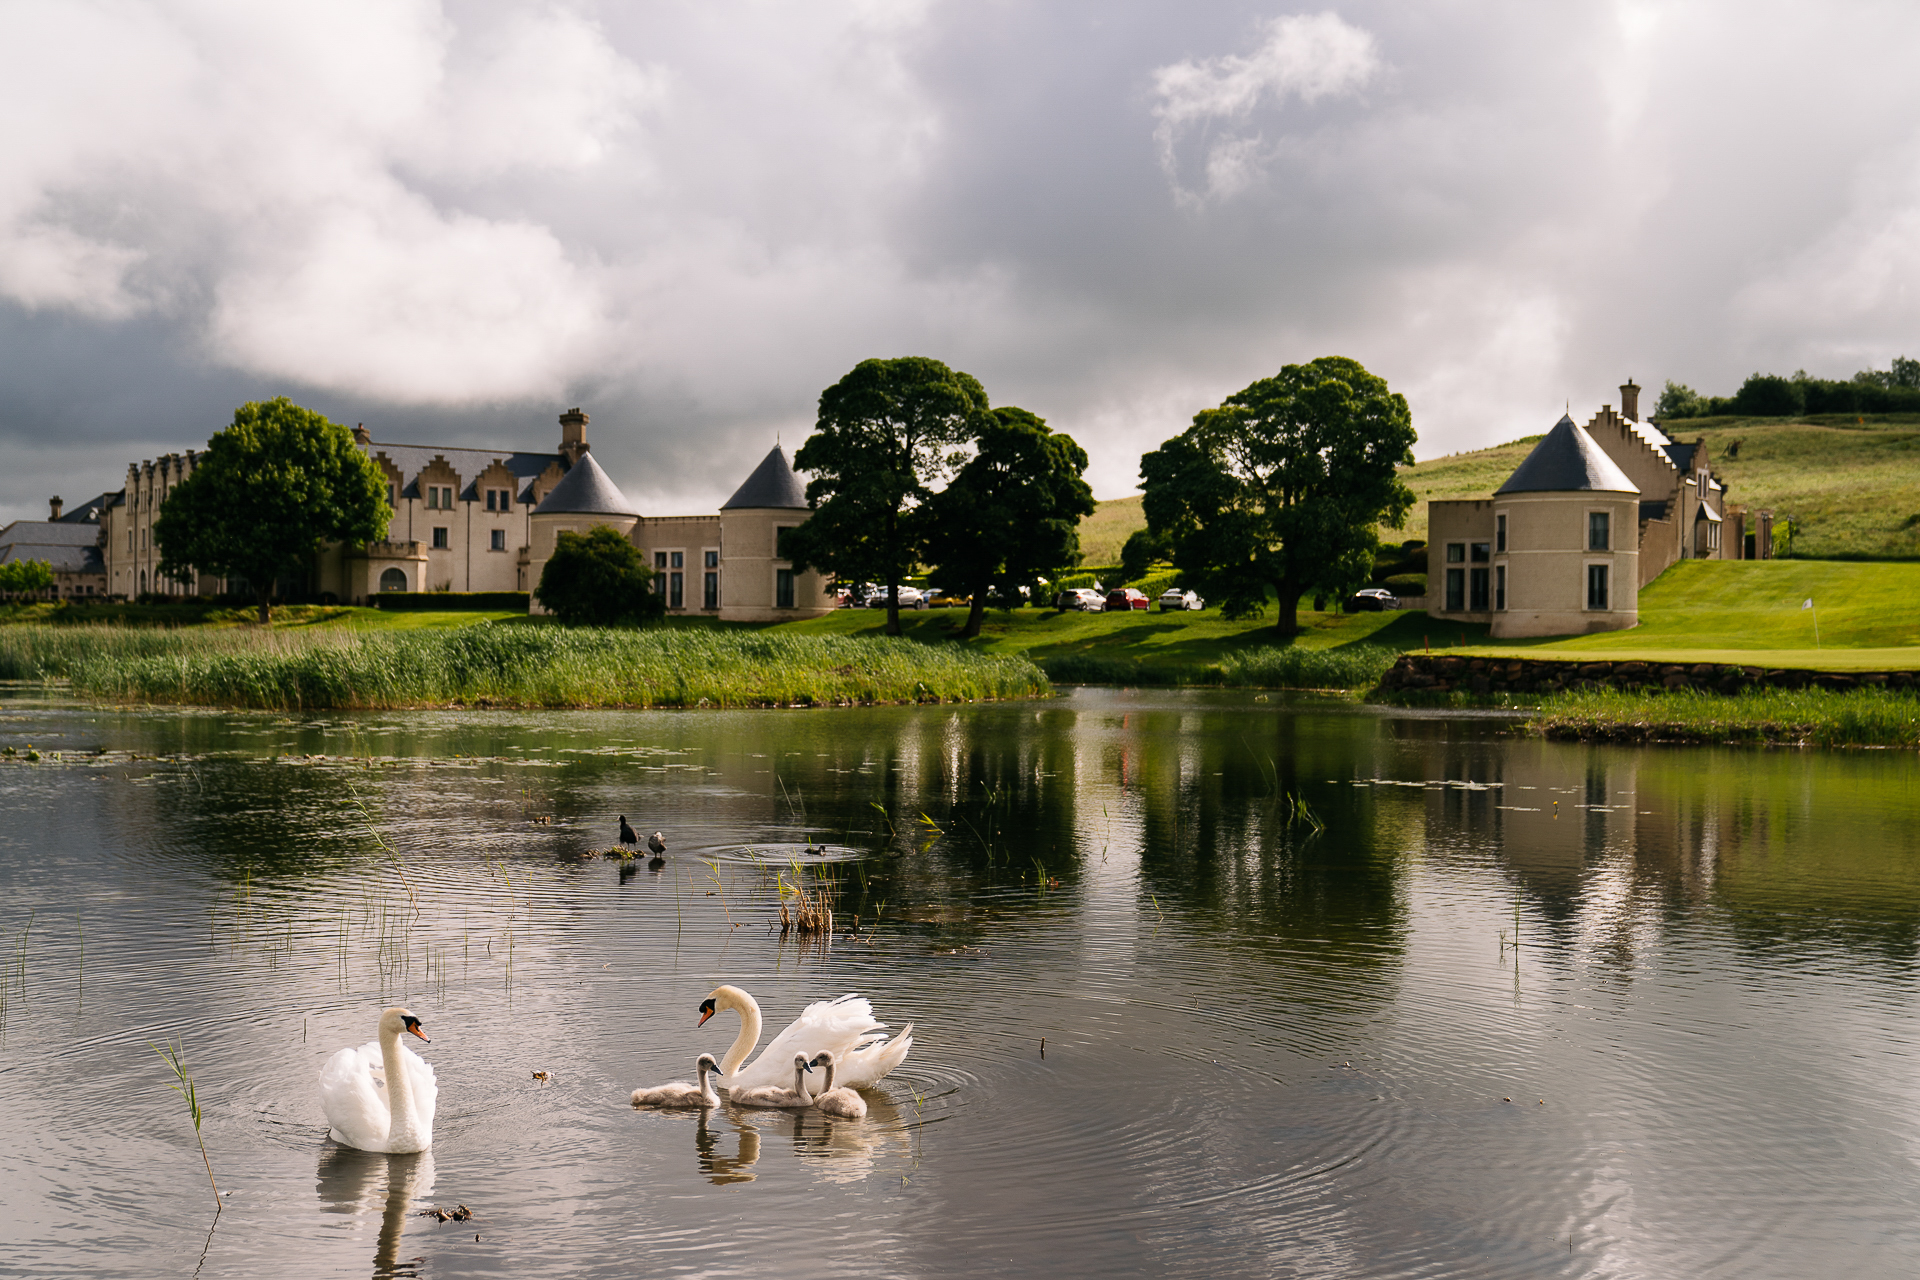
(1274, 494)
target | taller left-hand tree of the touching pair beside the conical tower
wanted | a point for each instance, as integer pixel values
(886, 435)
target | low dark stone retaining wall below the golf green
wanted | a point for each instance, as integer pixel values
(1437, 673)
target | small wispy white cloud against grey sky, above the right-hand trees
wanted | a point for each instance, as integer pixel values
(1303, 57)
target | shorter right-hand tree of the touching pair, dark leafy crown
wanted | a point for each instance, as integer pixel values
(1013, 513)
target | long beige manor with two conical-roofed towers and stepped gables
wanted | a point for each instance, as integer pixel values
(489, 519)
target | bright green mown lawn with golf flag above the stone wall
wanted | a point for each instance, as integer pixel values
(1752, 613)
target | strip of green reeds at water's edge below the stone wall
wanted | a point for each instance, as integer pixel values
(1760, 717)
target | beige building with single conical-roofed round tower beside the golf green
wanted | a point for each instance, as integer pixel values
(1589, 519)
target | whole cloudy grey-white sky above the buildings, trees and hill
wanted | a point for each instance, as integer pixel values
(452, 222)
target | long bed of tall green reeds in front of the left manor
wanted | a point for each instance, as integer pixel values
(506, 667)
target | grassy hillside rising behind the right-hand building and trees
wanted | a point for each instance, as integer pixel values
(1852, 485)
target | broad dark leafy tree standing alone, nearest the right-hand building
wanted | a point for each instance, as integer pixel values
(1280, 490)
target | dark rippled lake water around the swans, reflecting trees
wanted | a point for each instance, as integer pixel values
(1203, 984)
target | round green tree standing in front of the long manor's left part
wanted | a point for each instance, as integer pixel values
(270, 492)
